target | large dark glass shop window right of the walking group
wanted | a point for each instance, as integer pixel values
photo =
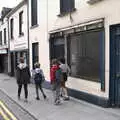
(85, 53)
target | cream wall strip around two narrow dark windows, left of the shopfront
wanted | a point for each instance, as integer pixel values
(39, 34)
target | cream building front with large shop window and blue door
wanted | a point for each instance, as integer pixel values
(86, 33)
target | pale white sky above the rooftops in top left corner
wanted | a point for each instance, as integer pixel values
(8, 3)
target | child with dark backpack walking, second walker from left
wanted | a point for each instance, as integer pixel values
(39, 78)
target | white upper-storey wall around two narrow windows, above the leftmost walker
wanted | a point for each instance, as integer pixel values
(19, 42)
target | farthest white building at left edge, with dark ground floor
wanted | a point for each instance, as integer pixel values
(4, 41)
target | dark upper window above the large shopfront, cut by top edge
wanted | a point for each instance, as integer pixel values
(67, 6)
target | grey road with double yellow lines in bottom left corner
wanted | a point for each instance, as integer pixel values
(10, 110)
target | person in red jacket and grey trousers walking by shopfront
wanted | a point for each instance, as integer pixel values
(55, 77)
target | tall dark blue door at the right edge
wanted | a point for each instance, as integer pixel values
(115, 65)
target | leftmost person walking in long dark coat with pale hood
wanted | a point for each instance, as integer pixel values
(23, 78)
